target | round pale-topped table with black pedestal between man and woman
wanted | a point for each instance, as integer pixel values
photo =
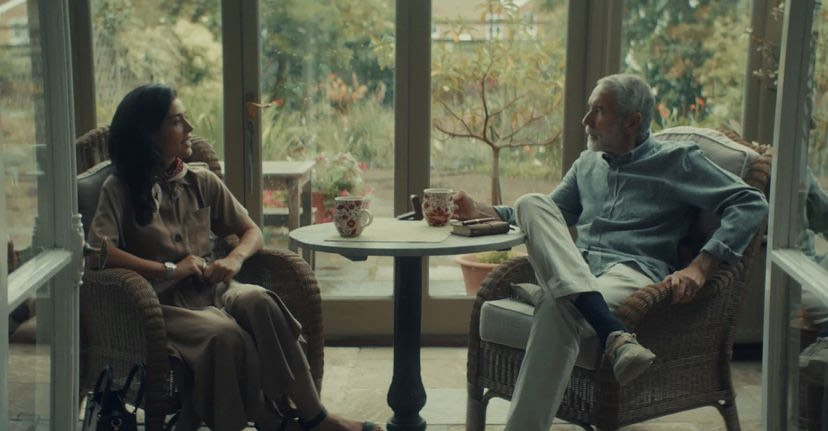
(406, 396)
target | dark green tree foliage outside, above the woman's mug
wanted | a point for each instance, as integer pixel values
(304, 41)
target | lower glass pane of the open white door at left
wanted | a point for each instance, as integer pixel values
(29, 381)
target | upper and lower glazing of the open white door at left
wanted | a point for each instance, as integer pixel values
(22, 137)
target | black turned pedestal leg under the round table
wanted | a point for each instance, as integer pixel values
(406, 396)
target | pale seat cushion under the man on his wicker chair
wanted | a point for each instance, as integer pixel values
(508, 321)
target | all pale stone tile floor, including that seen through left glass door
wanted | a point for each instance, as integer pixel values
(356, 382)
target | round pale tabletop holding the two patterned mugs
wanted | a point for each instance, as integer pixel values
(317, 237)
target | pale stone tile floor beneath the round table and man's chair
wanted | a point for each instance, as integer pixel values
(356, 381)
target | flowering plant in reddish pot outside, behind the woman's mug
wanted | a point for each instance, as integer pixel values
(340, 175)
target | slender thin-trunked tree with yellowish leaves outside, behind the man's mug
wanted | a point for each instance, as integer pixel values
(503, 89)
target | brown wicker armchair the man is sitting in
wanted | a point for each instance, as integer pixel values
(693, 343)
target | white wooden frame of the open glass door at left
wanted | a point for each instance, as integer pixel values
(58, 229)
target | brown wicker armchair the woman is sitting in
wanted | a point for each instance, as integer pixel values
(120, 316)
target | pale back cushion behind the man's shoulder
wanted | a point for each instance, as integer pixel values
(723, 151)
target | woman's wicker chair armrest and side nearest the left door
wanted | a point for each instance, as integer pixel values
(121, 324)
